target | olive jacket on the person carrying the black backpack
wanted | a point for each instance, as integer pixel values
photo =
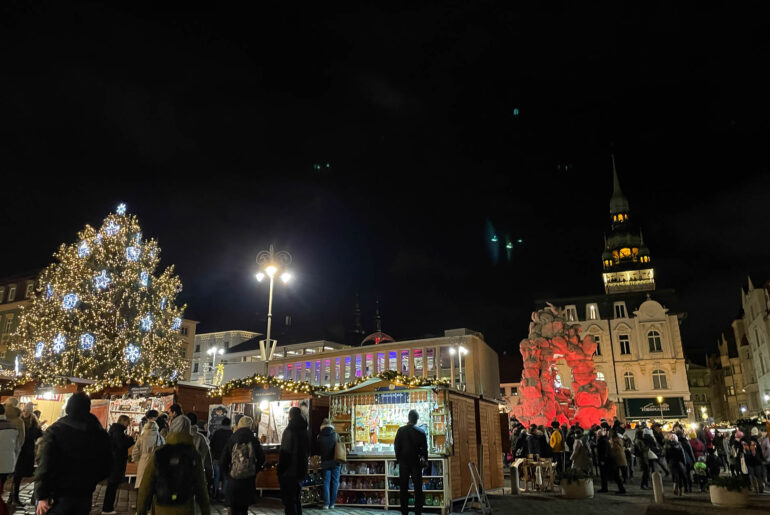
(147, 489)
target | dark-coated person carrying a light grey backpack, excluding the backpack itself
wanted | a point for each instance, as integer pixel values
(241, 492)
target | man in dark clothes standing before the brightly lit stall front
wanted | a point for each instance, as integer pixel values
(411, 446)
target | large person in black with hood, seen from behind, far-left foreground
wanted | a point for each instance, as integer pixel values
(75, 456)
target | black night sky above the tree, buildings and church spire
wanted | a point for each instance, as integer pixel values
(207, 122)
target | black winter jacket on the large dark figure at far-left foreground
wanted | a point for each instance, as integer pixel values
(75, 456)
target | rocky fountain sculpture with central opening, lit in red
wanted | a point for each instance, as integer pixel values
(551, 338)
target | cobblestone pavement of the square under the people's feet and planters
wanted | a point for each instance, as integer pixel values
(635, 502)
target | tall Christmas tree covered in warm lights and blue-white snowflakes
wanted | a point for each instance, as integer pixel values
(102, 313)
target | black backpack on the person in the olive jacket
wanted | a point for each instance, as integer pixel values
(175, 469)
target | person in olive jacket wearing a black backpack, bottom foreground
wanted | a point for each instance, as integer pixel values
(173, 480)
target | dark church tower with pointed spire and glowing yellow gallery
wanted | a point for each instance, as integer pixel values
(626, 261)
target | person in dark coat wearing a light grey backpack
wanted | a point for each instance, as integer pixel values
(241, 460)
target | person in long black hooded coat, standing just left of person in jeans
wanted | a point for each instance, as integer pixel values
(292, 461)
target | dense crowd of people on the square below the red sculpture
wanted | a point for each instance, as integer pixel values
(687, 456)
